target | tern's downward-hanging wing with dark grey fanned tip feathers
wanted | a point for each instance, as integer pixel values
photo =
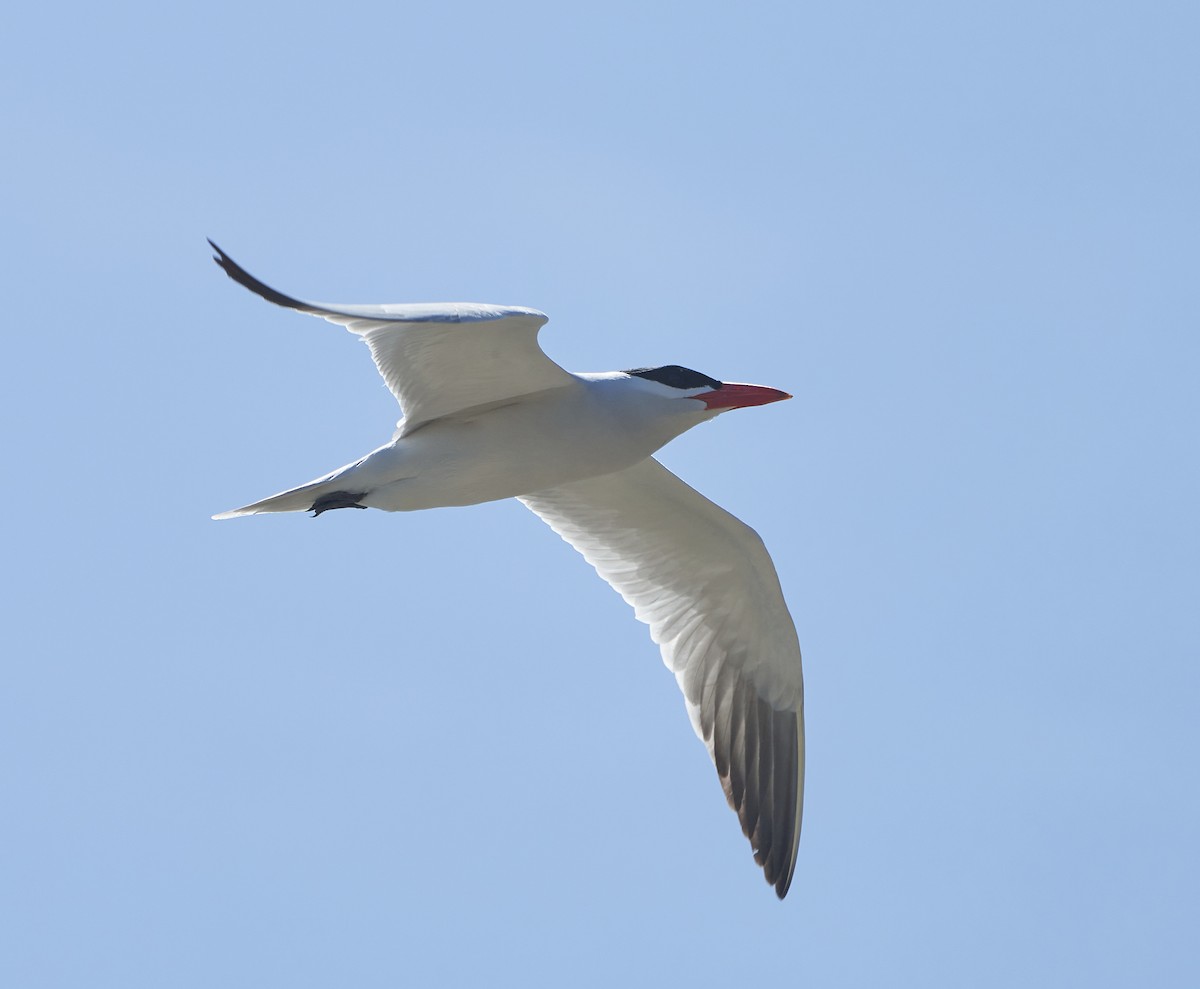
(704, 583)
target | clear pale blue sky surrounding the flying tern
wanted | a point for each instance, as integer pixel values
(436, 750)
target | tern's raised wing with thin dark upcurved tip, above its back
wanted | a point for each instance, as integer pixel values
(437, 358)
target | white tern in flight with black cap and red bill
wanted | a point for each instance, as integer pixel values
(488, 416)
